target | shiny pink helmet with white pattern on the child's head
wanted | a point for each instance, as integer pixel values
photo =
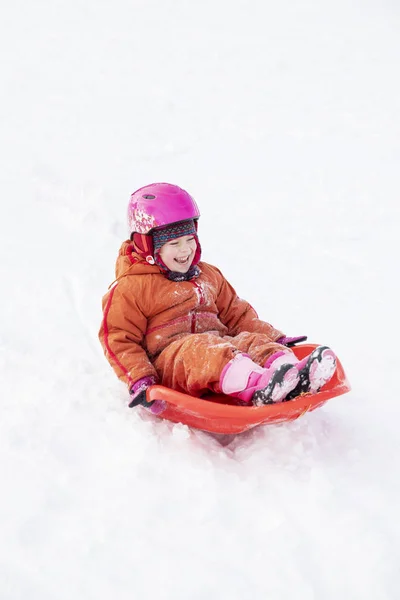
(158, 205)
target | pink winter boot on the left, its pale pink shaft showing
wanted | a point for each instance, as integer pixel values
(246, 380)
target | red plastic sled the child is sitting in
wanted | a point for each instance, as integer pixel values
(218, 413)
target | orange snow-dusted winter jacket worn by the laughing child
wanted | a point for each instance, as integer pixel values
(143, 312)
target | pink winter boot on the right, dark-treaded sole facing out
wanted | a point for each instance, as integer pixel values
(315, 370)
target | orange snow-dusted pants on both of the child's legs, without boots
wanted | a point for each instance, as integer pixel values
(193, 364)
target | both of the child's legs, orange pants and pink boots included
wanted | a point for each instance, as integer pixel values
(201, 362)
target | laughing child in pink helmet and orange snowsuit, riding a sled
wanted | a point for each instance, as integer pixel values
(173, 320)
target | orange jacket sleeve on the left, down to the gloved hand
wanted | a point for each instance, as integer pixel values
(121, 335)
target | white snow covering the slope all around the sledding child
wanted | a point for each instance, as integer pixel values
(282, 119)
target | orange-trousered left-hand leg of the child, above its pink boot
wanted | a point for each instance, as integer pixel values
(194, 363)
